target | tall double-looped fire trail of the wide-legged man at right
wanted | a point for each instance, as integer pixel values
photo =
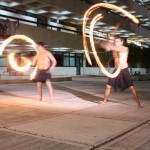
(94, 20)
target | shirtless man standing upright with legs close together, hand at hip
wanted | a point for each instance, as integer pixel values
(45, 63)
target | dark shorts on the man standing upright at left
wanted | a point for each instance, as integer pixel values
(42, 76)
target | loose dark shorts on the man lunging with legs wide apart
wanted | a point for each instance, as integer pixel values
(122, 81)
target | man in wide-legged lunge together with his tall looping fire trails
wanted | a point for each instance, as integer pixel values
(121, 77)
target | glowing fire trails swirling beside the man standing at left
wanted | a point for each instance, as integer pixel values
(11, 56)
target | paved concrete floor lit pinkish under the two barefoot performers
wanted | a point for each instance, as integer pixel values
(74, 120)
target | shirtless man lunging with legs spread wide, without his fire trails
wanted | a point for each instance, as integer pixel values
(123, 80)
